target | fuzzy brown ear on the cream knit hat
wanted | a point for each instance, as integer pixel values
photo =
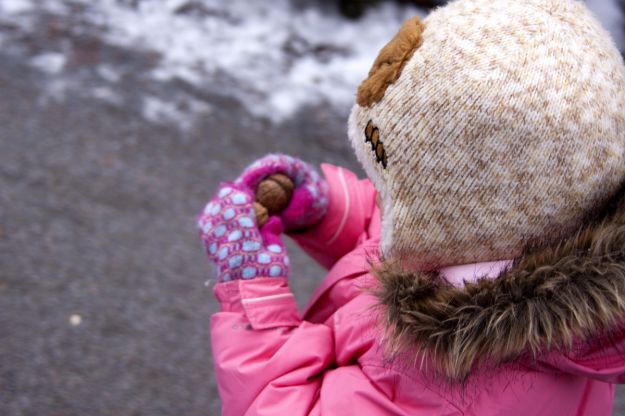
(390, 62)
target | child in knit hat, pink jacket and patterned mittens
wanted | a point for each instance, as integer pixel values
(490, 280)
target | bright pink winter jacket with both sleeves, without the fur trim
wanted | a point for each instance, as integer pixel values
(270, 360)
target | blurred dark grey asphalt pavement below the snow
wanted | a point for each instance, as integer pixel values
(103, 306)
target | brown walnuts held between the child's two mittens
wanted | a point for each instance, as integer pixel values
(272, 197)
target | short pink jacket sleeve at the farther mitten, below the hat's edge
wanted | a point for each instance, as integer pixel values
(351, 206)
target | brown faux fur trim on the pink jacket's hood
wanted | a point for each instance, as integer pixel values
(548, 300)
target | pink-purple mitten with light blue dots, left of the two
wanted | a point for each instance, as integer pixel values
(233, 241)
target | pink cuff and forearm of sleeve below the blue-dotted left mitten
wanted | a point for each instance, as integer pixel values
(265, 356)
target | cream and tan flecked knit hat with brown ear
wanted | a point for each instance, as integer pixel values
(491, 126)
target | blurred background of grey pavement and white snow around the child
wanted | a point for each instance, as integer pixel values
(117, 120)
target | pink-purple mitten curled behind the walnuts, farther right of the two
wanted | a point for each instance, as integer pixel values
(309, 202)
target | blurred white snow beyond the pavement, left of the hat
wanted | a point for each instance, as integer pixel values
(273, 57)
